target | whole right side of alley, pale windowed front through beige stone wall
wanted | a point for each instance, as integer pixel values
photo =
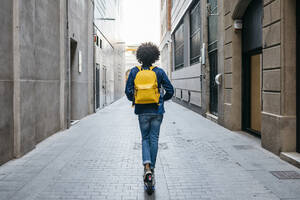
(235, 62)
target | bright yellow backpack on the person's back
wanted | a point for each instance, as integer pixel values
(146, 87)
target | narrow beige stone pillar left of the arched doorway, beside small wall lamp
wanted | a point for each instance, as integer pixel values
(232, 70)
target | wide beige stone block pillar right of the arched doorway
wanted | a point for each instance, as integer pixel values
(279, 76)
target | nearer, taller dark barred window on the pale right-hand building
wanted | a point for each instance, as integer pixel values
(195, 34)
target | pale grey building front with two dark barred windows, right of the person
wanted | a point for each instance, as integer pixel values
(187, 39)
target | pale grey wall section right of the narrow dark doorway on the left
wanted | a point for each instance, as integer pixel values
(81, 31)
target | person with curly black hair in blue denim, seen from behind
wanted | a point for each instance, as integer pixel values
(150, 115)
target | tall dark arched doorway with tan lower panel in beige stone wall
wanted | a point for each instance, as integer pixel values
(252, 67)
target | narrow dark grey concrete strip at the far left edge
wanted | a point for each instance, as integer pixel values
(6, 81)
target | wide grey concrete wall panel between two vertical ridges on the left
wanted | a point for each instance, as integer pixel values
(39, 71)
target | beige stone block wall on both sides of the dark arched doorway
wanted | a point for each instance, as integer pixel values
(278, 72)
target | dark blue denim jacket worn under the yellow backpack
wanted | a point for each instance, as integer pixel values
(163, 81)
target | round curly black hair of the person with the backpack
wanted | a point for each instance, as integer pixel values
(147, 53)
